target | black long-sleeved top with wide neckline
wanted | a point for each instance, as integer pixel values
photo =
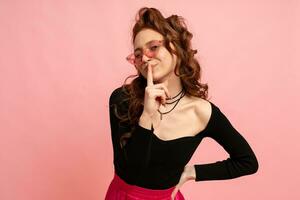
(149, 162)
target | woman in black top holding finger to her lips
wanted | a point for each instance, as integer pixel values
(160, 118)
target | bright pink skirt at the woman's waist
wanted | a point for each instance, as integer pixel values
(120, 190)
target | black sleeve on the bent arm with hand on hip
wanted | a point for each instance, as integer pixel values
(242, 160)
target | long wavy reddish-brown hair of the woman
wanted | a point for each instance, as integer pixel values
(174, 30)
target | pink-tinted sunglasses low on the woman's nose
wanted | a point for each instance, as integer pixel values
(150, 51)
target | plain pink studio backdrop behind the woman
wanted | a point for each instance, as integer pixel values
(60, 61)
